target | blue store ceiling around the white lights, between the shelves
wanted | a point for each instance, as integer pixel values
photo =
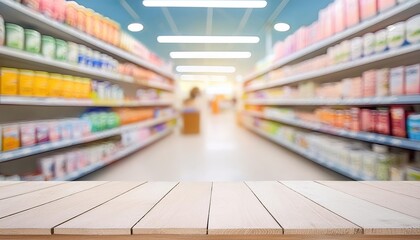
(203, 21)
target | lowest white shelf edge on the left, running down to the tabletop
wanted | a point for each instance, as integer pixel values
(96, 166)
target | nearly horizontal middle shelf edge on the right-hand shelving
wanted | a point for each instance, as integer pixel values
(375, 101)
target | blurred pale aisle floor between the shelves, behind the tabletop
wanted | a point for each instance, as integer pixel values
(224, 151)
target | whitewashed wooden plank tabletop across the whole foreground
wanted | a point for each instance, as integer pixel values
(206, 210)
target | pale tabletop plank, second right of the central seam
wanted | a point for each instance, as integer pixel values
(298, 215)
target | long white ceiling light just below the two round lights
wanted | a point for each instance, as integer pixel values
(208, 39)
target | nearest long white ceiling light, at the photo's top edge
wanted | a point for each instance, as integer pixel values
(206, 3)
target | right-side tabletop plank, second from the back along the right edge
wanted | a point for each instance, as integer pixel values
(398, 202)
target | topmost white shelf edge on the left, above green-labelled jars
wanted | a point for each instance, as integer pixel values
(81, 36)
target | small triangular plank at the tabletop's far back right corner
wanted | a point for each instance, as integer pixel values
(398, 187)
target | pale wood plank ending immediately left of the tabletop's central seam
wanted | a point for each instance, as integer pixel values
(183, 211)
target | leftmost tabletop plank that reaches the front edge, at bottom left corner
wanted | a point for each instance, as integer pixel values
(57, 212)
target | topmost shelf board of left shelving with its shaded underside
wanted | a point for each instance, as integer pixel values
(13, 11)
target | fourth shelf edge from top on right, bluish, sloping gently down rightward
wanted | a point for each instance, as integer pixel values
(362, 136)
